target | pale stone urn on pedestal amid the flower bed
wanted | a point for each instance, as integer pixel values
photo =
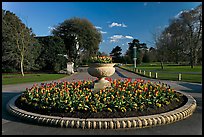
(101, 71)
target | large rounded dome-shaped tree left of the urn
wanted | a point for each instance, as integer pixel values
(87, 35)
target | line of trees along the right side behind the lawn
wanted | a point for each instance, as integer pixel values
(180, 42)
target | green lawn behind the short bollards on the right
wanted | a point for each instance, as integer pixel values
(170, 72)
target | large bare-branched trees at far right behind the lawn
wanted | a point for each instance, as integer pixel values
(182, 39)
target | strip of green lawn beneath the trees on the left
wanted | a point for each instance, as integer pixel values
(18, 78)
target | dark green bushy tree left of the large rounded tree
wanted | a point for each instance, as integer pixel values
(49, 60)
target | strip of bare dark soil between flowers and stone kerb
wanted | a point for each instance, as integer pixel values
(149, 111)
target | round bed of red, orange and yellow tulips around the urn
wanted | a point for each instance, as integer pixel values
(124, 98)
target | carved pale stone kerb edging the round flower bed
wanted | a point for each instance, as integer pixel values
(106, 123)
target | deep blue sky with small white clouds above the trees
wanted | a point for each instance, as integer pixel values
(119, 22)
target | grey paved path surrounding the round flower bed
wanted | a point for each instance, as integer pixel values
(191, 126)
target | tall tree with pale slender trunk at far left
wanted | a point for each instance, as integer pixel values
(17, 43)
